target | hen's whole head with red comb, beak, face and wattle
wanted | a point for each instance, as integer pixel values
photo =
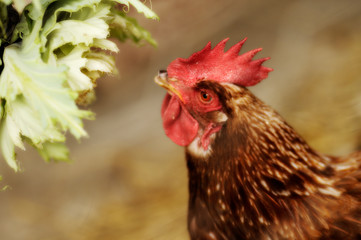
(196, 105)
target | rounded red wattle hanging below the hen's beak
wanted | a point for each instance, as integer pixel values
(178, 124)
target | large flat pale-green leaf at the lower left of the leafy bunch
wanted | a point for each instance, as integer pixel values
(38, 106)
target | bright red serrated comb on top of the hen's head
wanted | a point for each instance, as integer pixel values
(215, 64)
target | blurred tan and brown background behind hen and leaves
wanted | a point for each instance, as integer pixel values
(127, 180)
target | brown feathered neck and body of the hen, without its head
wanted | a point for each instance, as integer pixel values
(260, 180)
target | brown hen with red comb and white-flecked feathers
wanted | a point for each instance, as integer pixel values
(251, 176)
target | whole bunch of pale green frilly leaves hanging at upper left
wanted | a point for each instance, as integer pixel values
(61, 48)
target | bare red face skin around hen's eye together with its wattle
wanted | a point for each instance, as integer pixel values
(185, 115)
